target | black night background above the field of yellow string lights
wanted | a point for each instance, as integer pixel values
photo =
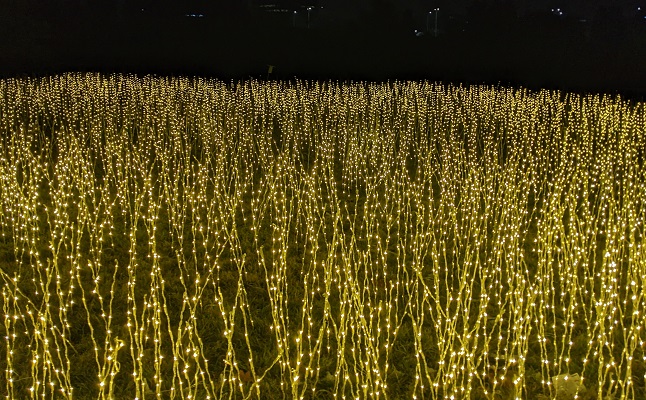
(582, 45)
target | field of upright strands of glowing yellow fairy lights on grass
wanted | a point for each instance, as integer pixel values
(186, 238)
